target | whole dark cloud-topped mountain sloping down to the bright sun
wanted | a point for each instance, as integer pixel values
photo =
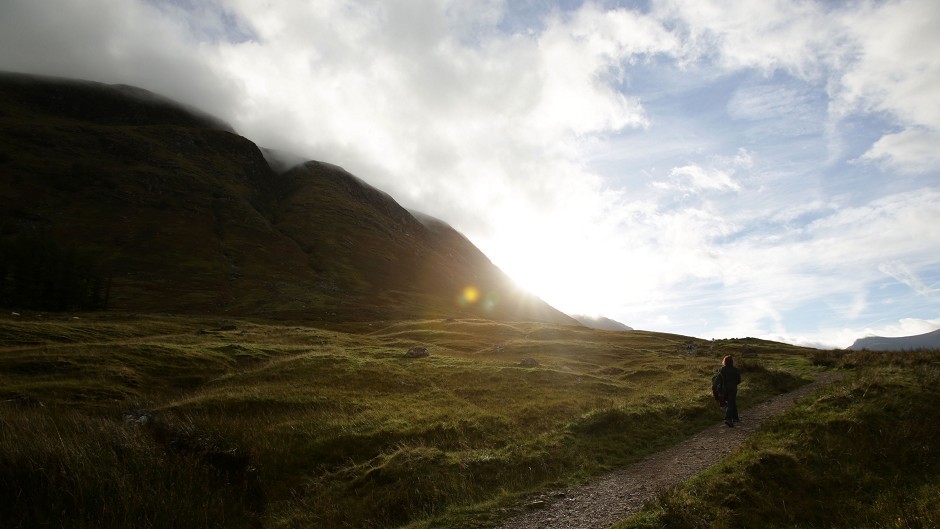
(112, 195)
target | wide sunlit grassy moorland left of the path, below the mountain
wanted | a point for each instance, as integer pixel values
(287, 426)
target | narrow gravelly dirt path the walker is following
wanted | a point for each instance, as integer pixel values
(616, 496)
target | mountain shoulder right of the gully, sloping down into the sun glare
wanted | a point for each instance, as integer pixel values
(382, 262)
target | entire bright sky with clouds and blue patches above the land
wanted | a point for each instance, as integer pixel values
(702, 167)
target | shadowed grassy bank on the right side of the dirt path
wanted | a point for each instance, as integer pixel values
(862, 454)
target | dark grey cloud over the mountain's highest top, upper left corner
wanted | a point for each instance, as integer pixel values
(127, 42)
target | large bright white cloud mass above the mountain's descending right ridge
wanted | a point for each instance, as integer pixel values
(499, 115)
